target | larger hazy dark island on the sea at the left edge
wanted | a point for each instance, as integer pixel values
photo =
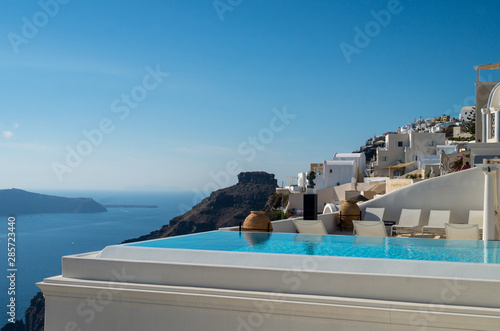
(15, 202)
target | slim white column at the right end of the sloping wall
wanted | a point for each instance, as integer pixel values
(489, 202)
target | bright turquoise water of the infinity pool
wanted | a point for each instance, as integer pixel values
(332, 245)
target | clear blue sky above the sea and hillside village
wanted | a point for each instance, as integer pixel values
(233, 66)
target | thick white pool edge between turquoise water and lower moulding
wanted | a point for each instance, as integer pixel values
(296, 274)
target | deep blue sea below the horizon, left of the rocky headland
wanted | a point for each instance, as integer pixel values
(42, 239)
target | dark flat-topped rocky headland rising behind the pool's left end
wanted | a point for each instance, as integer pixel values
(225, 207)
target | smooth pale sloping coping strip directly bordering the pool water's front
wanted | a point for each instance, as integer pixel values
(370, 266)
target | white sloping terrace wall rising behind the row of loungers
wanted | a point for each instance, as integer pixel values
(458, 192)
